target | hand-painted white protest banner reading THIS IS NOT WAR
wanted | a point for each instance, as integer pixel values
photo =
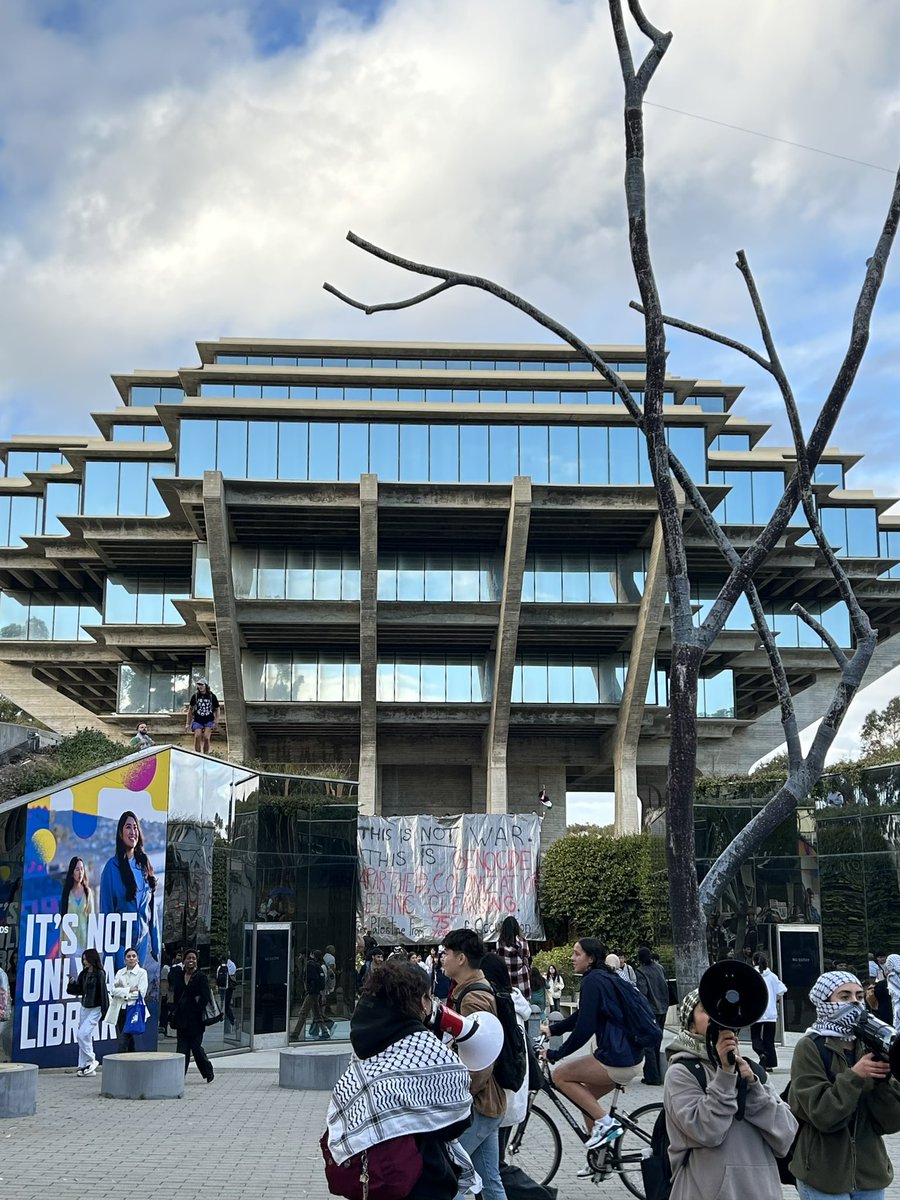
(423, 877)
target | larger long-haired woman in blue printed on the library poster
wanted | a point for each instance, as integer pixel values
(129, 885)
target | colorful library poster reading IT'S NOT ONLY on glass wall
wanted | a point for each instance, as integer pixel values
(94, 866)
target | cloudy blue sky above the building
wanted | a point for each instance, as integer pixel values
(189, 170)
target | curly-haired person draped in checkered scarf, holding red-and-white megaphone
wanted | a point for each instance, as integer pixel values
(403, 1083)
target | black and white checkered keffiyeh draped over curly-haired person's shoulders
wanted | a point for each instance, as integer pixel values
(417, 1085)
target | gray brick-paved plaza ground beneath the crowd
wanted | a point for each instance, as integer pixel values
(241, 1137)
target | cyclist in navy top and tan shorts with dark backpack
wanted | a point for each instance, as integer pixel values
(617, 1060)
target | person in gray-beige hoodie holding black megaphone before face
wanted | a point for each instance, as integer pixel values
(716, 1150)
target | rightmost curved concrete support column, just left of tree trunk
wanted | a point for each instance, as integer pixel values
(634, 699)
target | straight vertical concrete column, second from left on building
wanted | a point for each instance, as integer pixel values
(370, 802)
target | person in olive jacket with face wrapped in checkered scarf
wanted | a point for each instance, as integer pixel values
(844, 1099)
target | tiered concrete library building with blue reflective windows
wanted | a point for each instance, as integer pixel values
(437, 566)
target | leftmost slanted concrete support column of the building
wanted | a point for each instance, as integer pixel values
(219, 539)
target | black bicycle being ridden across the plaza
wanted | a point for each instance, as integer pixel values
(537, 1145)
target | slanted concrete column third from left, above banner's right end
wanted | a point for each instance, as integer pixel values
(505, 659)
